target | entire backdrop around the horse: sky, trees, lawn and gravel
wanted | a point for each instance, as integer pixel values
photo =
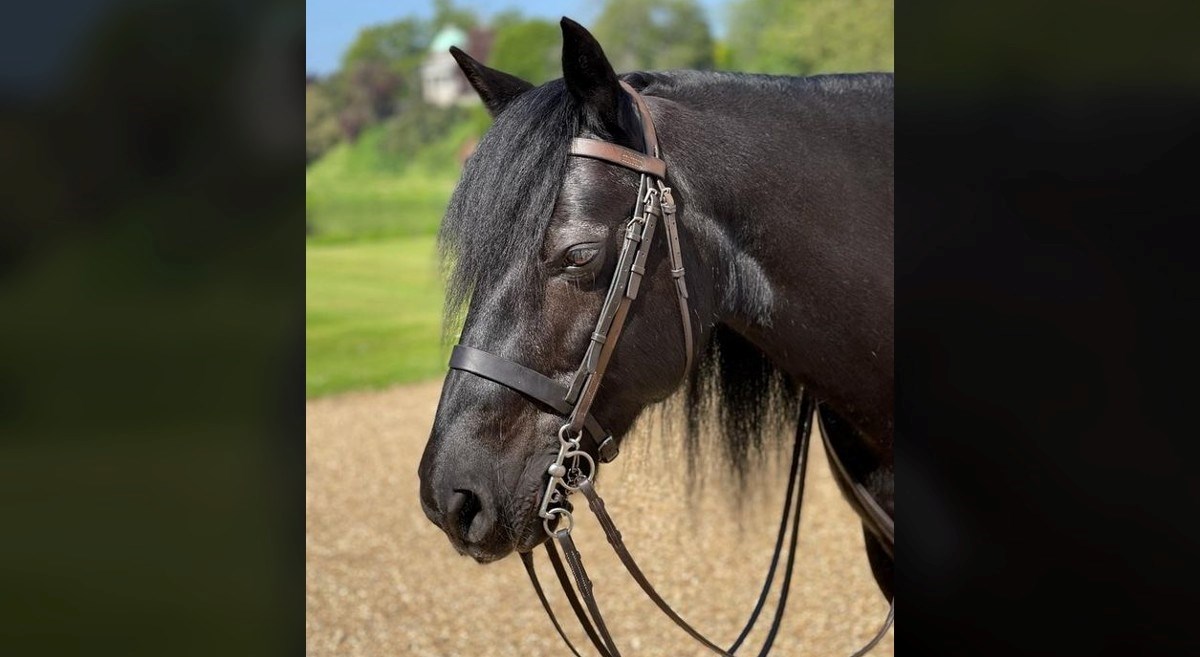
(389, 123)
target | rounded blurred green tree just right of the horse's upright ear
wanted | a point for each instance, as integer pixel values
(655, 35)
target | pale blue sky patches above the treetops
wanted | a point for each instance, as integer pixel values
(333, 25)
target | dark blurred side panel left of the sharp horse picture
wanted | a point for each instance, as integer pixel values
(152, 473)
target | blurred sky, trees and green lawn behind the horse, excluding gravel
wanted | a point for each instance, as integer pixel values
(391, 119)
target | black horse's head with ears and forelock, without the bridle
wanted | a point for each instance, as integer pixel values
(532, 238)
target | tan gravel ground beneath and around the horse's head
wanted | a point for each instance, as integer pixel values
(382, 581)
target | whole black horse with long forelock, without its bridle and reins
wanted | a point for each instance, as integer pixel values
(785, 206)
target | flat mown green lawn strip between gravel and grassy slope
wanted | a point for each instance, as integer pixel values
(374, 315)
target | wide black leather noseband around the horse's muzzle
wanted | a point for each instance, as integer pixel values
(533, 385)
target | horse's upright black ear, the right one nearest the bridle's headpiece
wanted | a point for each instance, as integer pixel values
(589, 76)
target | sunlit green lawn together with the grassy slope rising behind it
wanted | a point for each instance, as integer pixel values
(374, 312)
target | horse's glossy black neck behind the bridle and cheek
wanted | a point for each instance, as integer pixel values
(790, 203)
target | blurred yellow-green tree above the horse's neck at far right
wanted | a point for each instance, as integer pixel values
(812, 37)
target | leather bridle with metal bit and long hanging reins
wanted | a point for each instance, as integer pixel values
(581, 437)
